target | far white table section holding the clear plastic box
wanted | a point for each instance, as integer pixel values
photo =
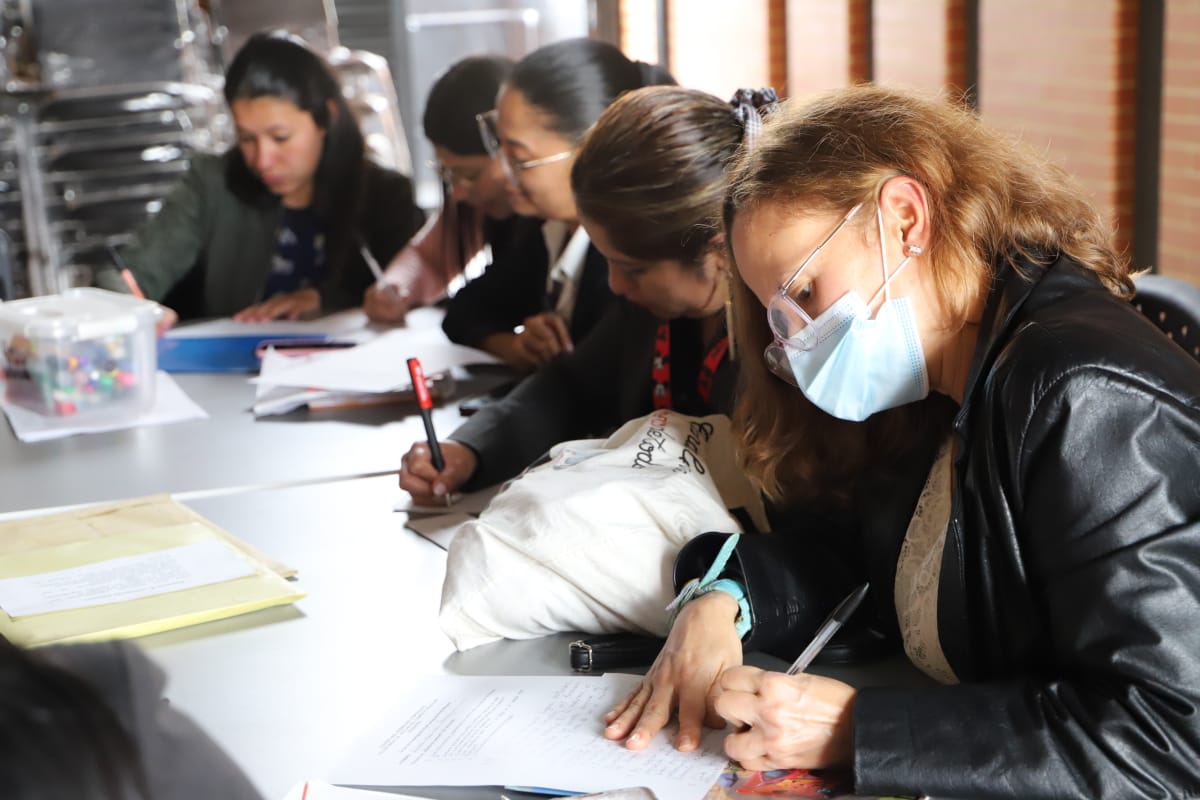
(231, 450)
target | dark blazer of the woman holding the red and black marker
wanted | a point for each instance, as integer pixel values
(604, 383)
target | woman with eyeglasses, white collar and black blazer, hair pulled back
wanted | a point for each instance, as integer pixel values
(532, 309)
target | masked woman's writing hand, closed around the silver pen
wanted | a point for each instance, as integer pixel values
(795, 721)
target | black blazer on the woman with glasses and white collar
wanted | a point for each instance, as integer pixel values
(514, 287)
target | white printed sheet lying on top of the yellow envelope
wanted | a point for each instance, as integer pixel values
(123, 579)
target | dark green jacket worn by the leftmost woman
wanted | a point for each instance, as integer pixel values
(203, 224)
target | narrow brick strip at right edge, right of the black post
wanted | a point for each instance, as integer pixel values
(1179, 233)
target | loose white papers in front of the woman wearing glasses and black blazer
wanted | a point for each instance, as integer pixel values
(380, 365)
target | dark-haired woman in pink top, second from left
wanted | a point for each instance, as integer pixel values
(477, 213)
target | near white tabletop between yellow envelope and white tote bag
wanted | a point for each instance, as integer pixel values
(285, 690)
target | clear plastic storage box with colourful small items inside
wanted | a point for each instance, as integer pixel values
(85, 352)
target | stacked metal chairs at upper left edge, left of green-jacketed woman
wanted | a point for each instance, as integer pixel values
(107, 112)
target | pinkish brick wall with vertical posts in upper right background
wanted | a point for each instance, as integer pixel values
(1059, 74)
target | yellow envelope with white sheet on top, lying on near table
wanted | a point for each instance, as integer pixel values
(128, 569)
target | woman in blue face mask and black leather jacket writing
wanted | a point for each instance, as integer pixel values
(1016, 446)
